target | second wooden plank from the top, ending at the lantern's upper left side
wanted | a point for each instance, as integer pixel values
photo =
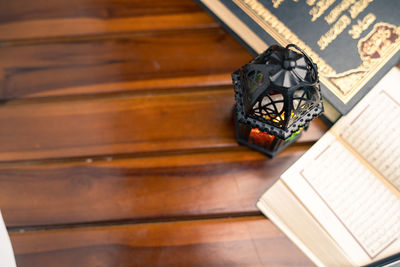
(120, 64)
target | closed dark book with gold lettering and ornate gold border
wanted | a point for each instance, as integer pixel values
(353, 42)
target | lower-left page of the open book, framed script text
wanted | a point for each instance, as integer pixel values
(354, 207)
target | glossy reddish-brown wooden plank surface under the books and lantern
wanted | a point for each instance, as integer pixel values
(116, 139)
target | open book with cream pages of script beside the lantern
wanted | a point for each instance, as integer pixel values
(340, 202)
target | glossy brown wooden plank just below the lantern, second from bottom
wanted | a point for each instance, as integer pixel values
(157, 187)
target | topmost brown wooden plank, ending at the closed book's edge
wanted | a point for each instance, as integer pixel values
(59, 18)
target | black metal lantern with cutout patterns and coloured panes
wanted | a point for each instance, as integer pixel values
(277, 95)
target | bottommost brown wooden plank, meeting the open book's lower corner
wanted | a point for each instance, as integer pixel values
(251, 241)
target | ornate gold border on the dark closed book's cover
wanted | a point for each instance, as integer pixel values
(375, 50)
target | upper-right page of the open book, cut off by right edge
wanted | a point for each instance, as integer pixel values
(372, 128)
